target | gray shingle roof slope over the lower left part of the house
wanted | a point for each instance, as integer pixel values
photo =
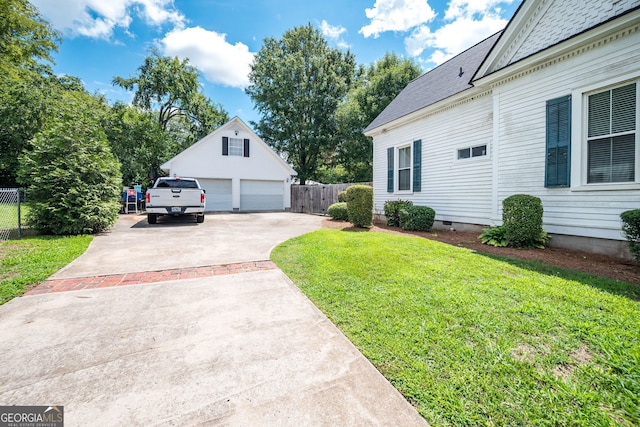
(440, 83)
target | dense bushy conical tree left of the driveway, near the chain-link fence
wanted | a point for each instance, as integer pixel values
(73, 179)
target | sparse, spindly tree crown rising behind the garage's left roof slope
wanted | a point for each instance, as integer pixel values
(171, 88)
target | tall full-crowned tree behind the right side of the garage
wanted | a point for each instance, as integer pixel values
(296, 84)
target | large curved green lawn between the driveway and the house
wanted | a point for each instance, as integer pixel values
(470, 339)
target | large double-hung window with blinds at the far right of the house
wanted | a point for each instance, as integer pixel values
(611, 135)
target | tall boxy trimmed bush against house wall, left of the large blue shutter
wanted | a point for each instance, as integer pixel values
(522, 220)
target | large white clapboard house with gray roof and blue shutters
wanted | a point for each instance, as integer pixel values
(549, 106)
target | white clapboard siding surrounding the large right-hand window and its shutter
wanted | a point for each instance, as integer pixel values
(579, 210)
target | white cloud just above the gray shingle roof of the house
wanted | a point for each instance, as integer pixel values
(452, 38)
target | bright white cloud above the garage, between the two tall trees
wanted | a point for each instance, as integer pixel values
(220, 61)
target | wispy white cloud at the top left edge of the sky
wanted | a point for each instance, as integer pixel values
(98, 18)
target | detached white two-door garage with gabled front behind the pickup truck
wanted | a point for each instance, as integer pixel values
(238, 170)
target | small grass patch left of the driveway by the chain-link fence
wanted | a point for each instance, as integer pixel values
(32, 260)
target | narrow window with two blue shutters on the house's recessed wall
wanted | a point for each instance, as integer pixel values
(408, 166)
